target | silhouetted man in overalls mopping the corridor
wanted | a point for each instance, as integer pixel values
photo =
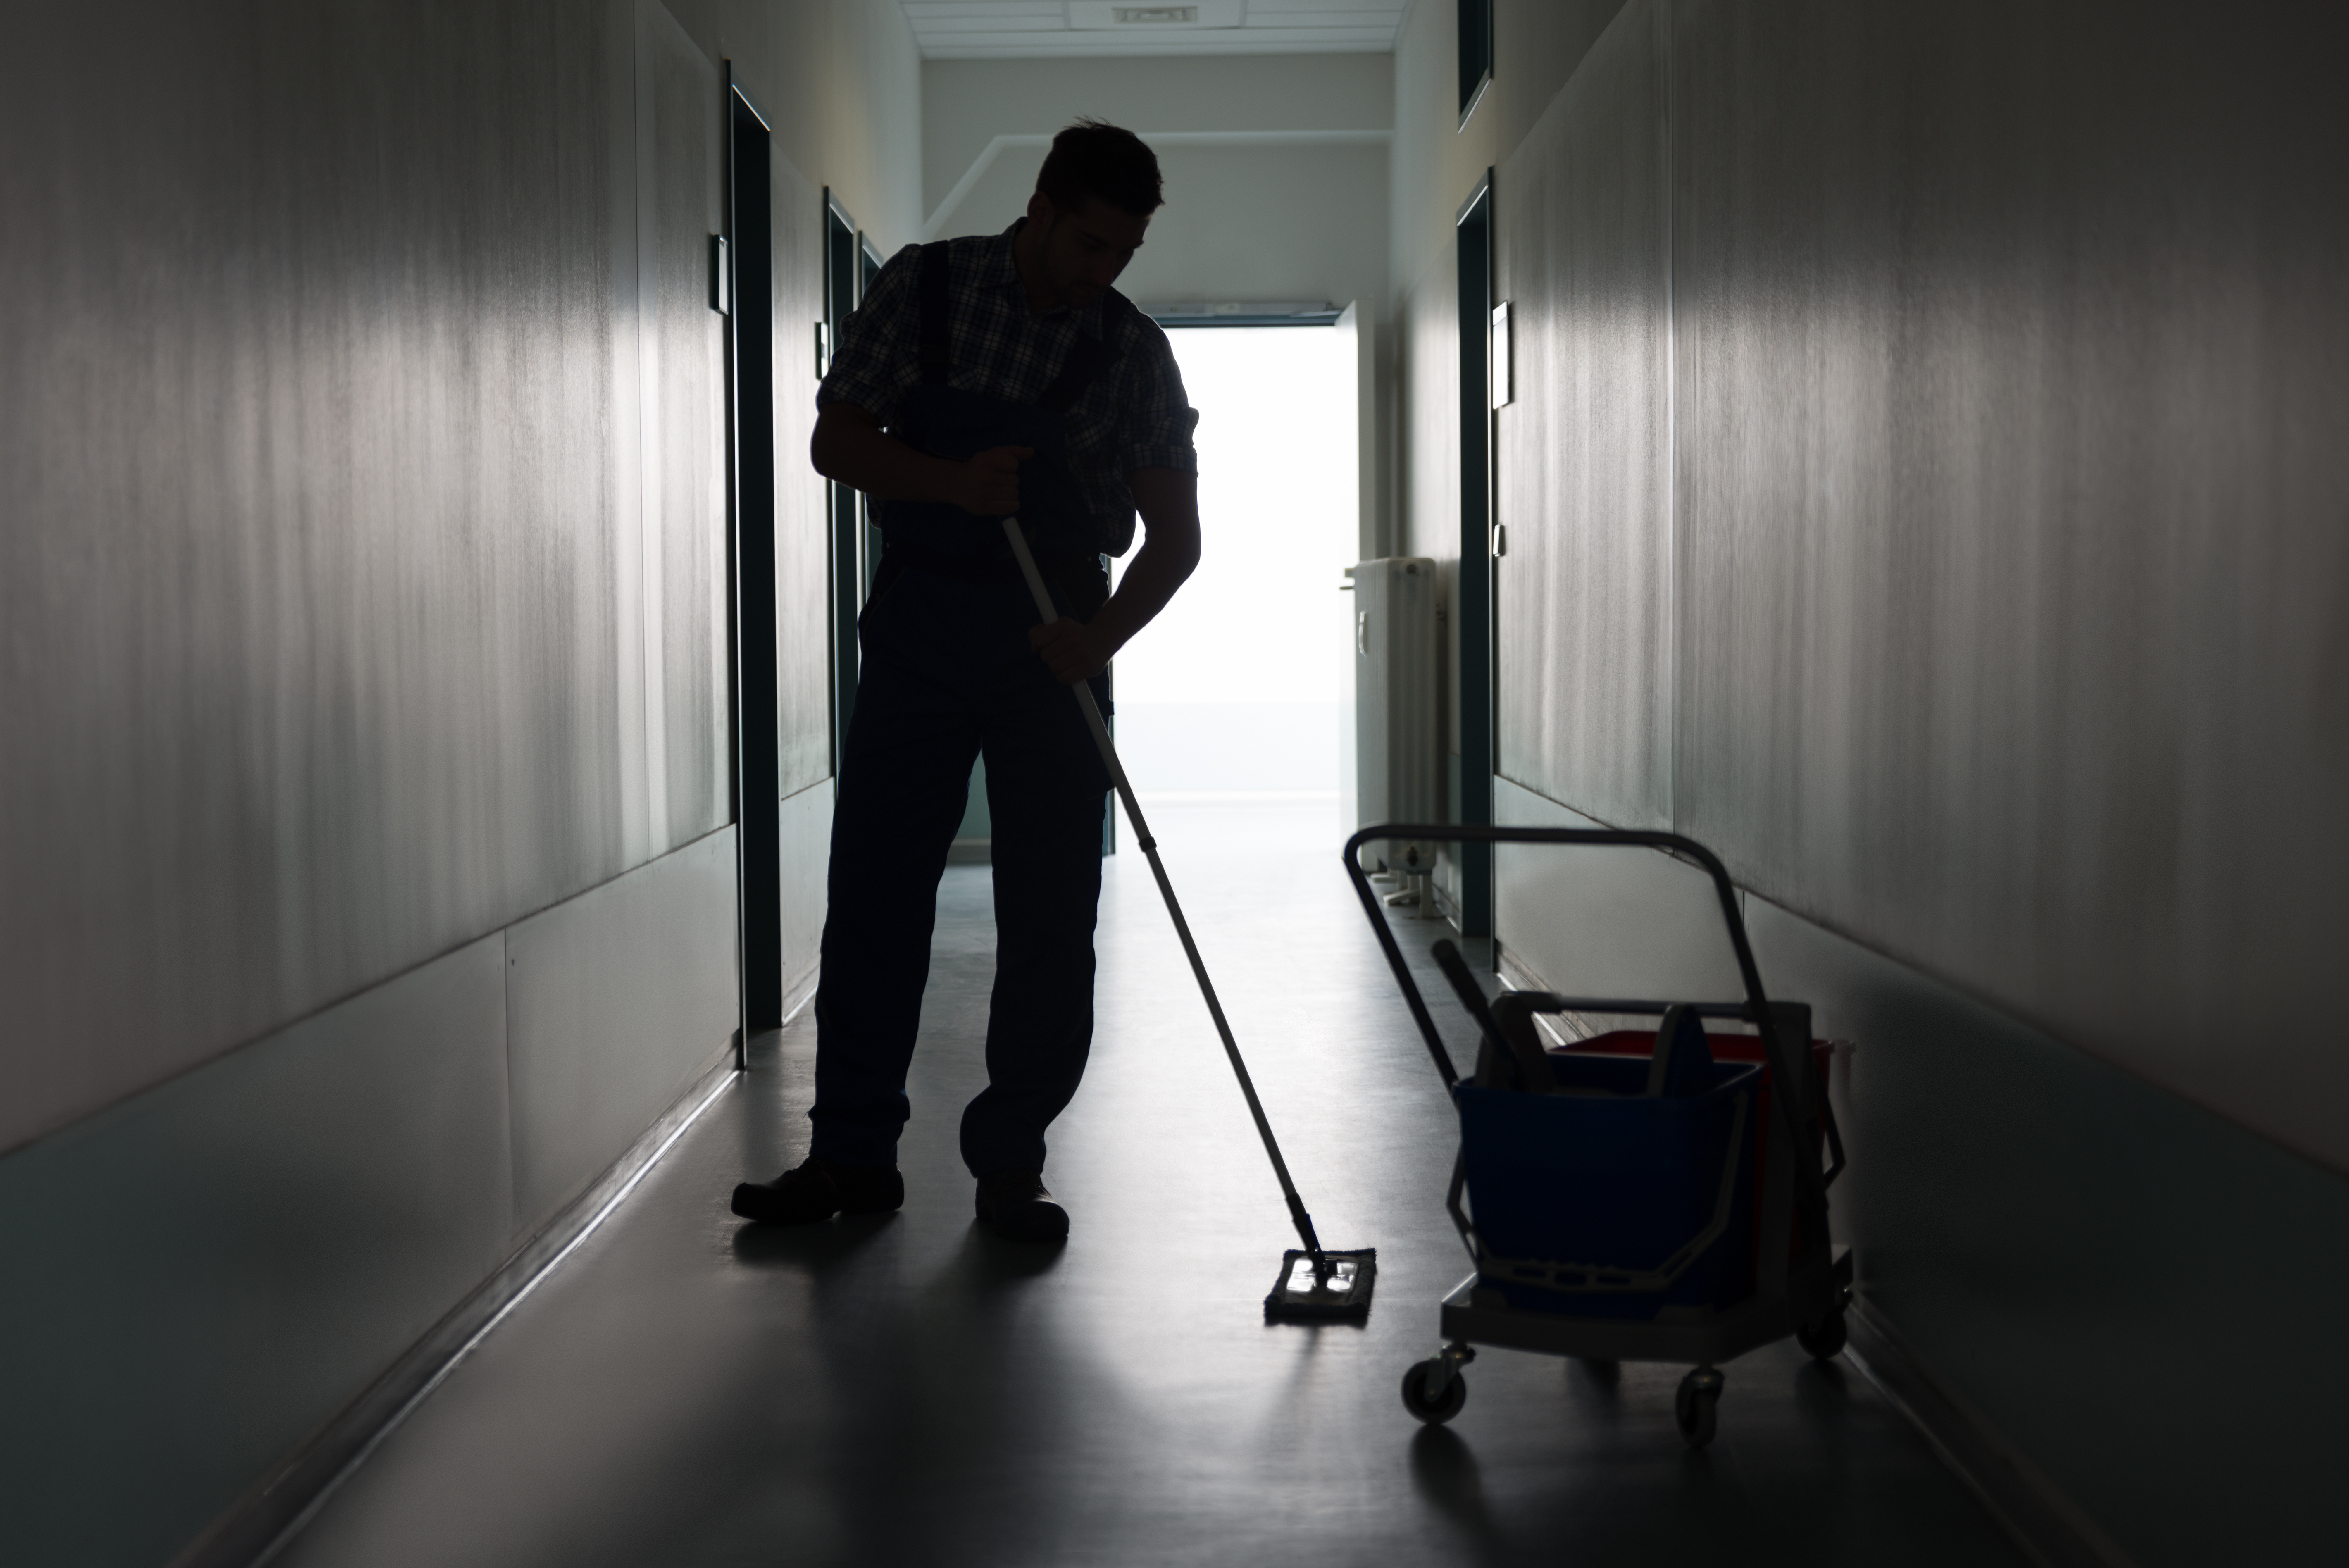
(985, 380)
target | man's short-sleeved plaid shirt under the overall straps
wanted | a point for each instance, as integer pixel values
(1131, 417)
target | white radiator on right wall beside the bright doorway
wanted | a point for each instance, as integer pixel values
(1396, 760)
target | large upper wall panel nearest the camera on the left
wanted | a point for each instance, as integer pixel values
(309, 575)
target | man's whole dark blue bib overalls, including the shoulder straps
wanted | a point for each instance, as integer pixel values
(950, 676)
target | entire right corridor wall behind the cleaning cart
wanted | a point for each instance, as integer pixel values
(1920, 488)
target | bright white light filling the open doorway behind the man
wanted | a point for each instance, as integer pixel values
(1244, 683)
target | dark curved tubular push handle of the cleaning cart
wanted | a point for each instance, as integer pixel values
(1789, 1059)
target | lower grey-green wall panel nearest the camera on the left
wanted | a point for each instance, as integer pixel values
(203, 1275)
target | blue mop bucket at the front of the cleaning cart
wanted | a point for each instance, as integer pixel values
(1620, 1202)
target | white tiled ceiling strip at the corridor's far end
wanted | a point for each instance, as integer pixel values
(1051, 29)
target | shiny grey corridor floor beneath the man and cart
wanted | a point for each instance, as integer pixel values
(908, 1391)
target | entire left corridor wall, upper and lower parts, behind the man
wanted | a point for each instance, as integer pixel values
(370, 878)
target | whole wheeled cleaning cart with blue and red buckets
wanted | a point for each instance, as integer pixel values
(1645, 1195)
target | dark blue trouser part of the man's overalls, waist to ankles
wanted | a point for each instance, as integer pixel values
(948, 678)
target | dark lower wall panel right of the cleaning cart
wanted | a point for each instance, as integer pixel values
(2129, 1292)
